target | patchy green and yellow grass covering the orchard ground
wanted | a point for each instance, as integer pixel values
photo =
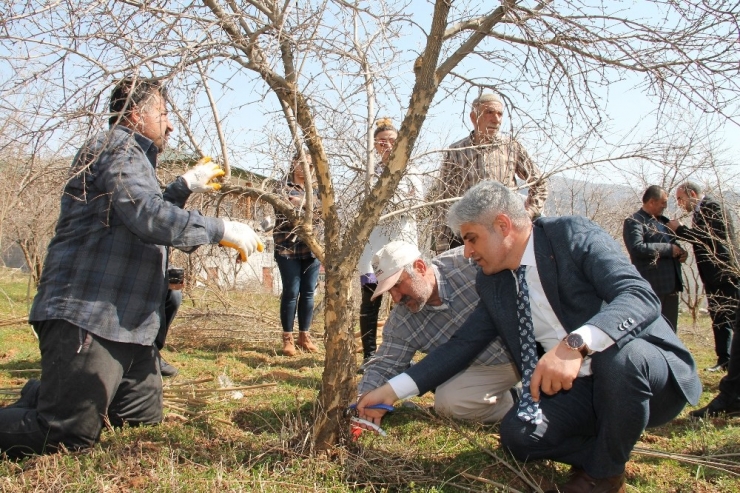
(214, 441)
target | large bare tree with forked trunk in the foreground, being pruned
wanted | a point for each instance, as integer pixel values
(317, 71)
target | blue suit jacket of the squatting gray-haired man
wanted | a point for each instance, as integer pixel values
(587, 279)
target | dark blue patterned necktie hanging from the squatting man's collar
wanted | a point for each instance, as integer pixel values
(528, 410)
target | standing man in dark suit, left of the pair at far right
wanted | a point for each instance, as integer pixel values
(654, 252)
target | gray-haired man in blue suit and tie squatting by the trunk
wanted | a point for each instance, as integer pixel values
(611, 367)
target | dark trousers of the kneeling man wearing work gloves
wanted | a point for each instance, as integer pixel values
(84, 379)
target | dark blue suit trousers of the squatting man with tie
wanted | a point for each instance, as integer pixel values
(597, 422)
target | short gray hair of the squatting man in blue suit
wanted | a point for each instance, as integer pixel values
(482, 203)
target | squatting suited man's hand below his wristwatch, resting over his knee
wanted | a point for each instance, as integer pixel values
(555, 371)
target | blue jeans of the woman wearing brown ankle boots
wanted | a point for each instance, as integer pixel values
(299, 278)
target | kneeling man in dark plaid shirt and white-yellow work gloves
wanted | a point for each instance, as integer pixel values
(101, 297)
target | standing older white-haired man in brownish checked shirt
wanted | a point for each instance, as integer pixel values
(485, 154)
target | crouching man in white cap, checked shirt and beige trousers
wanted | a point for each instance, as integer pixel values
(433, 299)
